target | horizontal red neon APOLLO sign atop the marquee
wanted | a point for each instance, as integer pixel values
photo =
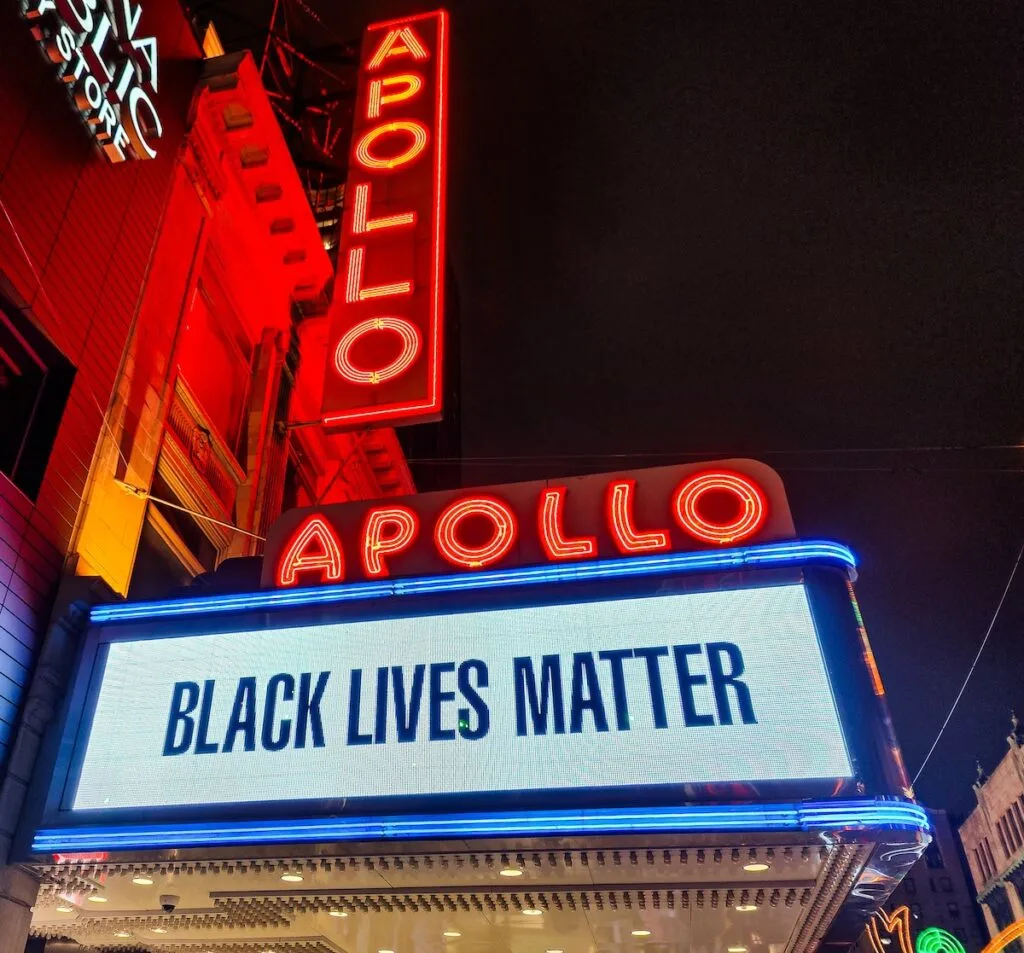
(637, 513)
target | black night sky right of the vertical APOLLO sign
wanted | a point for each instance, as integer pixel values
(788, 231)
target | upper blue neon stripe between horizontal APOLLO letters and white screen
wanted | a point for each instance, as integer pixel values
(792, 553)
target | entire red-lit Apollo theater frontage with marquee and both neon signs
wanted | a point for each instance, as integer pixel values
(263, 698)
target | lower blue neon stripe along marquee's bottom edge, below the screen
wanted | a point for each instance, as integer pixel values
(864, 815)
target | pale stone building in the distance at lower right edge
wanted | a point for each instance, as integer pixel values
(994, 837)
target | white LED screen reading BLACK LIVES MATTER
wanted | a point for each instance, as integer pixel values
(700, 687)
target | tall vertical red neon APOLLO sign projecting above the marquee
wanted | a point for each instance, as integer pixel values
(385, 346)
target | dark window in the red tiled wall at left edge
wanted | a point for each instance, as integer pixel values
(35, 382)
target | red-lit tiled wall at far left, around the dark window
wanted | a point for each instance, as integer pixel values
(74, 257)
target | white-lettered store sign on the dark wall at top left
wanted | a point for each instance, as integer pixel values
(110, 68)
